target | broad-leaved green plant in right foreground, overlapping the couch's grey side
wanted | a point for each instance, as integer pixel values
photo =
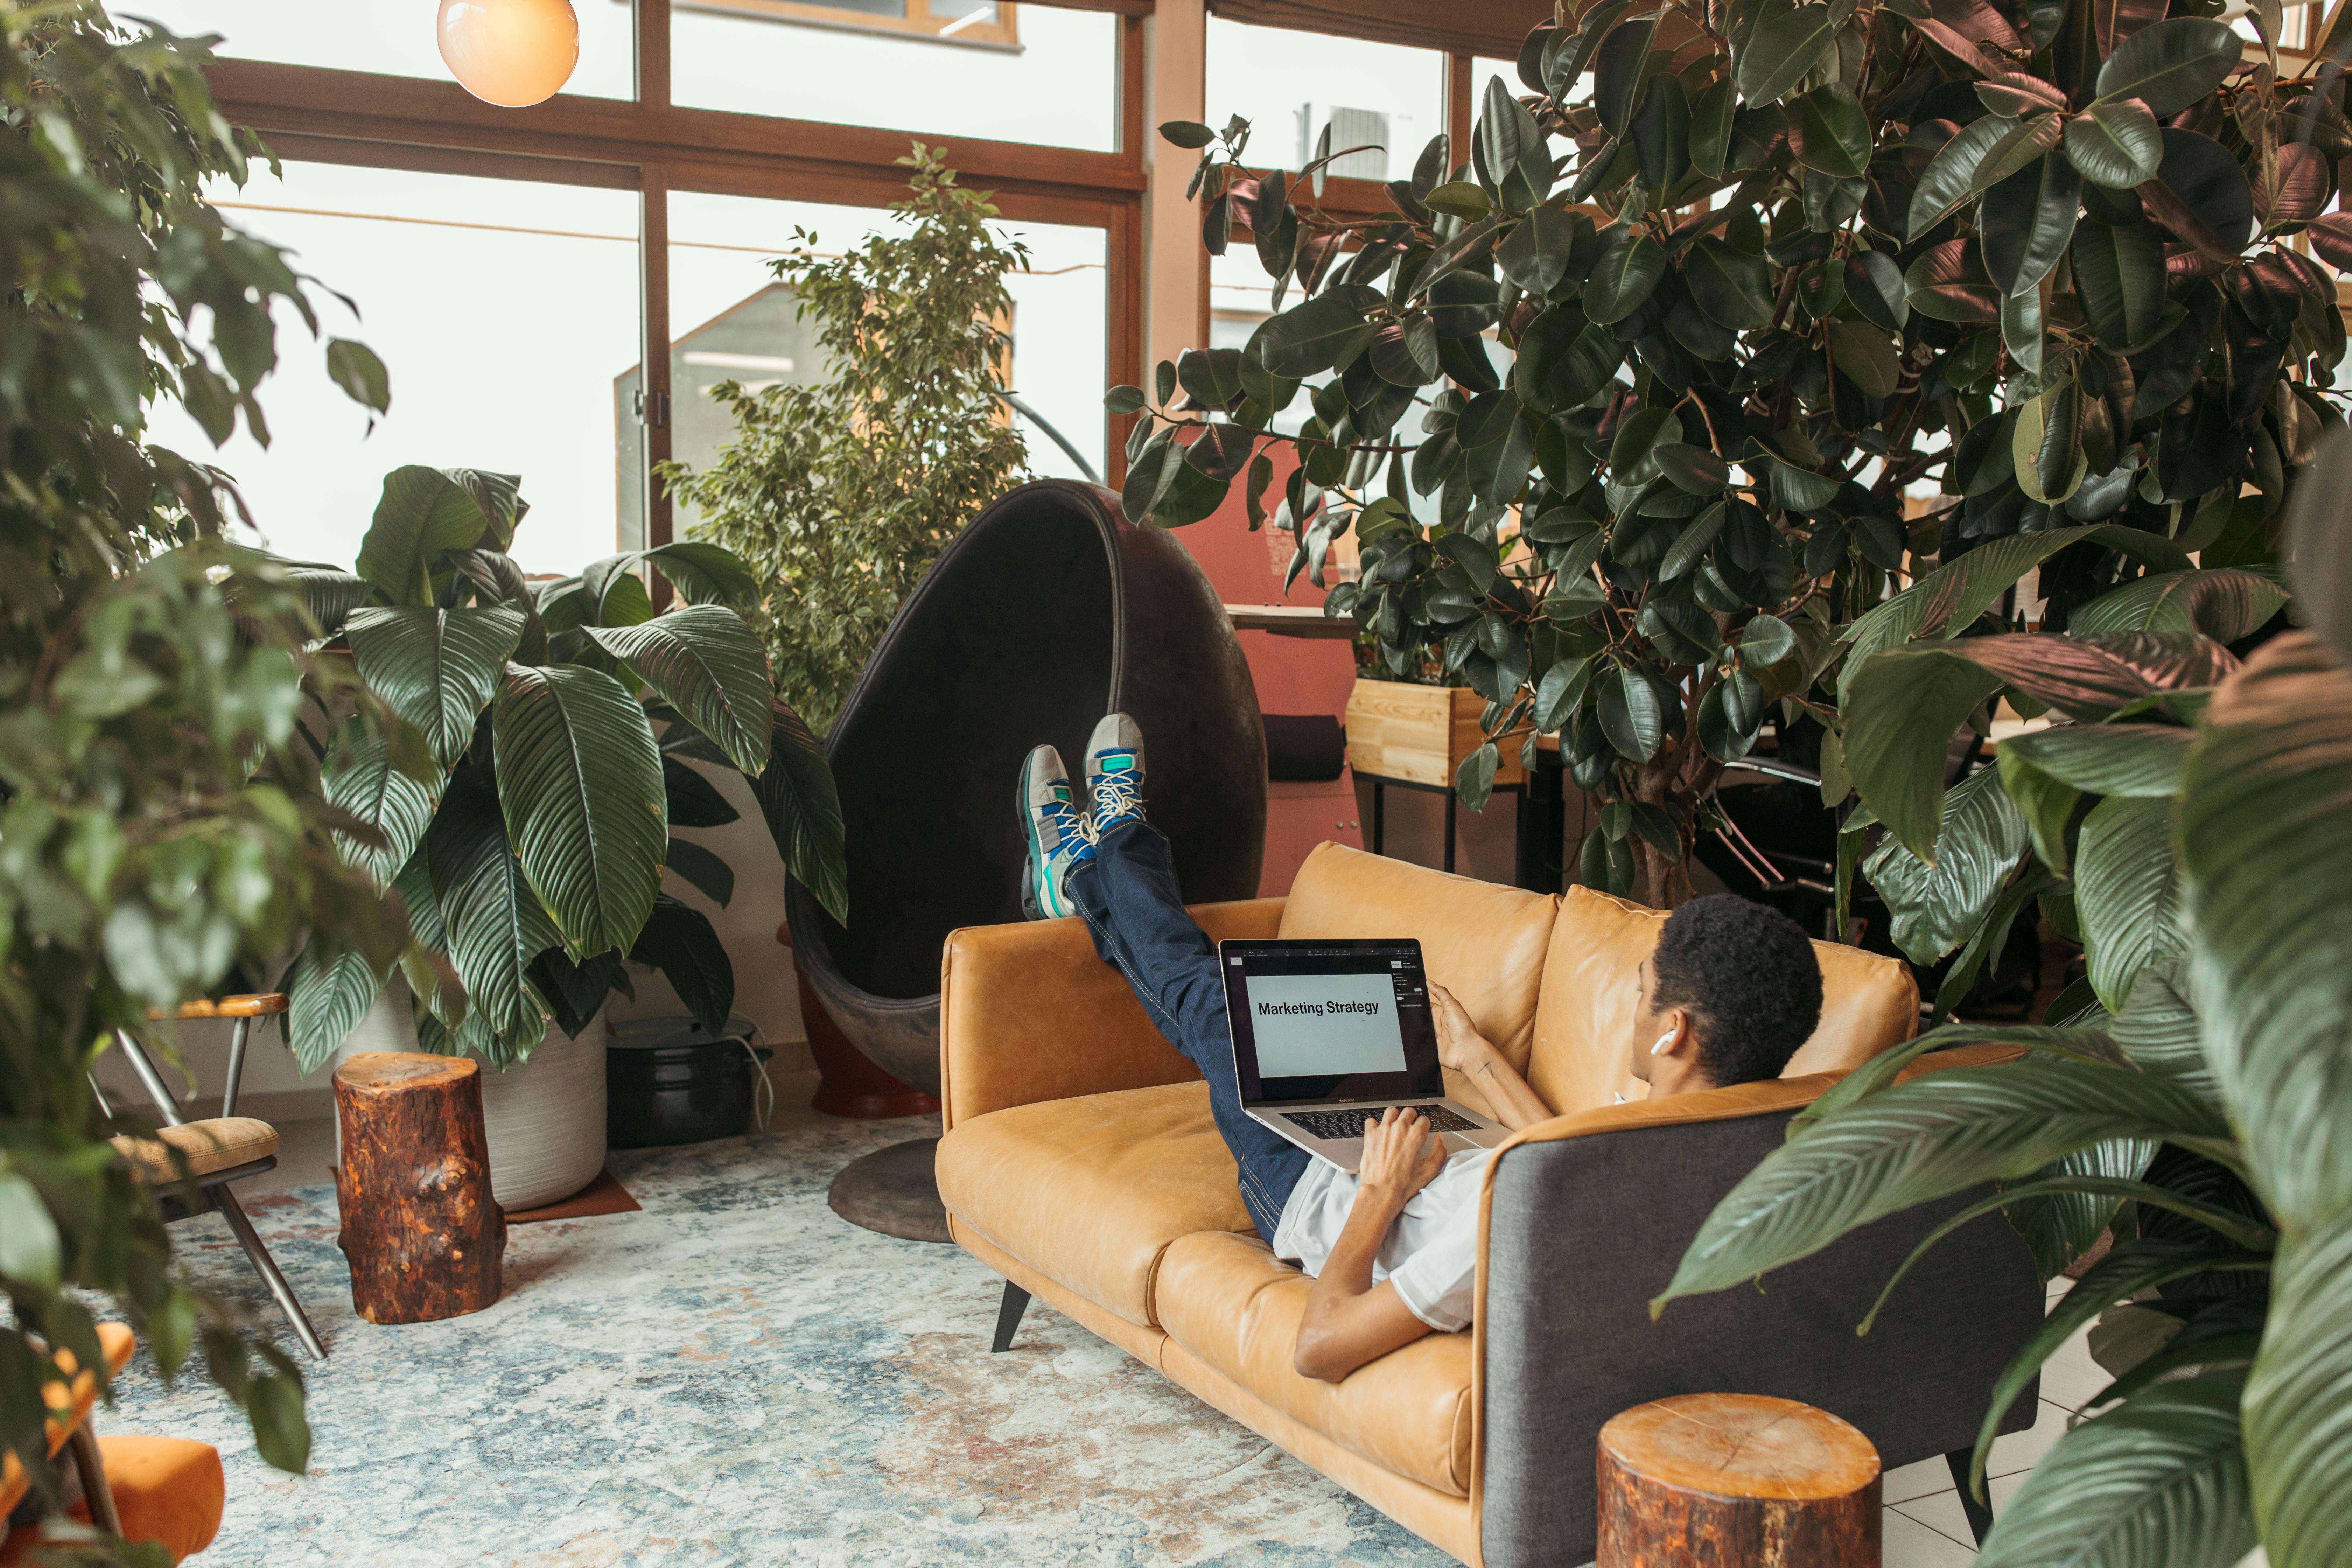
(2191, 817)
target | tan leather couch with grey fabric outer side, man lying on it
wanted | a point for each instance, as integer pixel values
(1081, 1162)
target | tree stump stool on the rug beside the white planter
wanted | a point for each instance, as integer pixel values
(422, 1233)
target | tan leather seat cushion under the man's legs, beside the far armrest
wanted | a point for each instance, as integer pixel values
(1093, 1191)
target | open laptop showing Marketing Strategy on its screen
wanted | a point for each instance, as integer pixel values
(1332, 1033)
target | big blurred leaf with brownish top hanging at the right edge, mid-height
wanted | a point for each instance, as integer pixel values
(2266, 831)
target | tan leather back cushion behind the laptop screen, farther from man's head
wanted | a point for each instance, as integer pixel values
(1481, 942)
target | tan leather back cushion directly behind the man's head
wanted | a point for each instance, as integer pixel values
(1591, 991)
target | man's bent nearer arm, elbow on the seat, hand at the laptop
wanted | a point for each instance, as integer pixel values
(1349, 1320)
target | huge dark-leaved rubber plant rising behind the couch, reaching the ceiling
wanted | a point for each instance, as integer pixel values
(1739, 316)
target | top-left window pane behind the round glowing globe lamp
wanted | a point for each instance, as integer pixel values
(382, 36)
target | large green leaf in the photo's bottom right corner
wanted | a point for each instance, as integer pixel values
(2299, 1400)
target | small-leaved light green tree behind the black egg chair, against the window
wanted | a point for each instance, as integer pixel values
(841, 497)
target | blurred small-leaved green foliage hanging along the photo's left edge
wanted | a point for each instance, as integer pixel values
(161, 824)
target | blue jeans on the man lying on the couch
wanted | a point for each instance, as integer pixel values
(1132, 906)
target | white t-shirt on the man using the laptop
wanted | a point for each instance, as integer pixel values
(1429, 1254)
